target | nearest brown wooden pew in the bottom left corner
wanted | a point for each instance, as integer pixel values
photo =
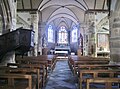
(11, 79)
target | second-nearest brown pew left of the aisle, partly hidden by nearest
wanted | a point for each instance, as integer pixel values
(32, 71)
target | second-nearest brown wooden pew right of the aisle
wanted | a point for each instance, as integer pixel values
(95, 74)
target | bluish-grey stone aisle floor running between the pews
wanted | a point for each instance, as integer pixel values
(61, 77)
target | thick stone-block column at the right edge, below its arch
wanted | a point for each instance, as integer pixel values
(115, 37)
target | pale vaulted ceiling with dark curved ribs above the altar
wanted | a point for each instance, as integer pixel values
(64, 12)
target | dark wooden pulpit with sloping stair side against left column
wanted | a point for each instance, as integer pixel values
(20, 40)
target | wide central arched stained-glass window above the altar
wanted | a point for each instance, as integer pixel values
(62, 35)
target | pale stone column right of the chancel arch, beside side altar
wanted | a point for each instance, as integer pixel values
(92, 41)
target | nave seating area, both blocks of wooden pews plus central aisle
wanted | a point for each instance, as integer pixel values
(48, 72)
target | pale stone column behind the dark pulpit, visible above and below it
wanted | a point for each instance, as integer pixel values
(10, 56)
